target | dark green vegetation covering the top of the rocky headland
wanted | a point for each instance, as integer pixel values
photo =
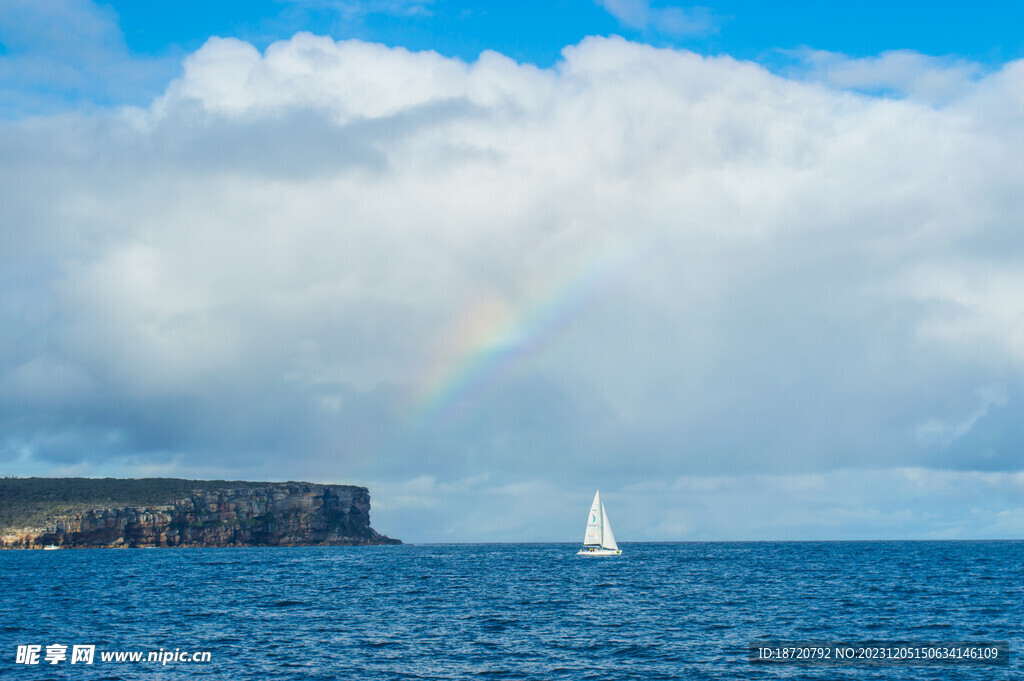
(29, 502)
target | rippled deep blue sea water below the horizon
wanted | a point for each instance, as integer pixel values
(508, 612)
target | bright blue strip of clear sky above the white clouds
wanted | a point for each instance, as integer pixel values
(536, 32)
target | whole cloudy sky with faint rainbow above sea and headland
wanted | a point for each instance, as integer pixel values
(756, 273)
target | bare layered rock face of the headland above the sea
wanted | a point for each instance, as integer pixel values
(280, 515)
